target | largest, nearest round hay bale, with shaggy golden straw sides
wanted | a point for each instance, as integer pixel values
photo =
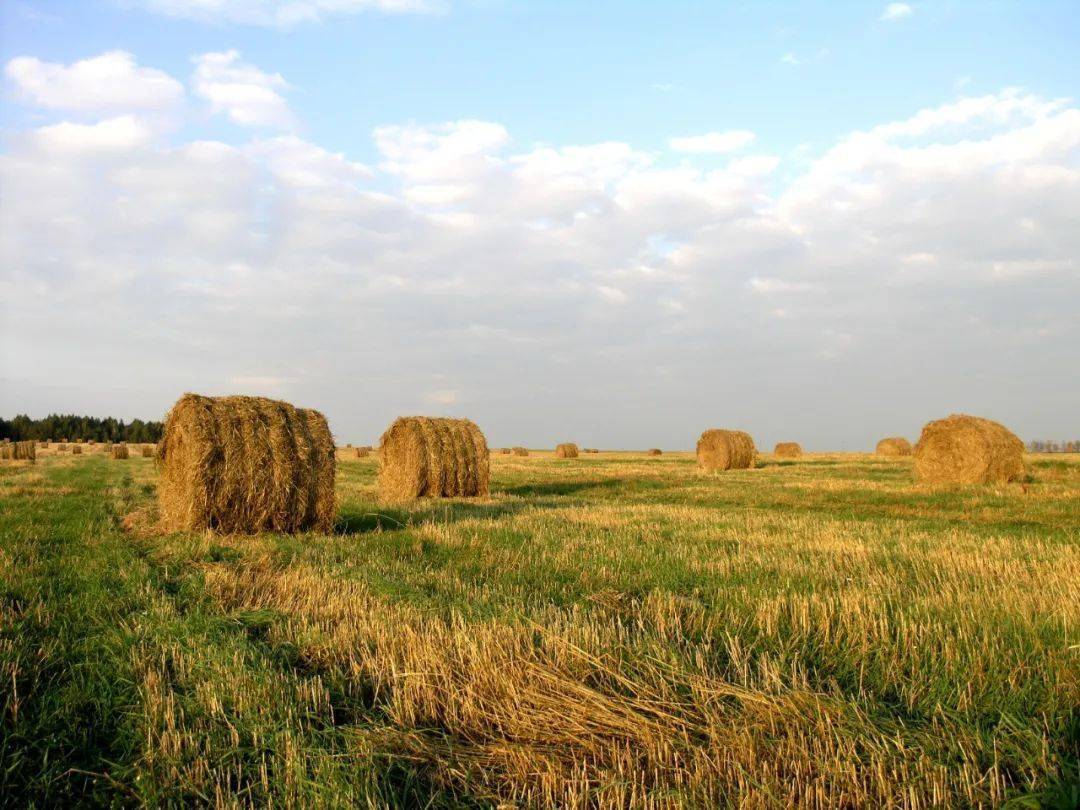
(246, 465)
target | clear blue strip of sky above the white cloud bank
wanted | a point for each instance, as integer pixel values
(585, 73)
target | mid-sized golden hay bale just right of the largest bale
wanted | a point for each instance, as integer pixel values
(433, 457)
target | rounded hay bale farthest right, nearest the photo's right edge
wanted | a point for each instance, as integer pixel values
(968, 450)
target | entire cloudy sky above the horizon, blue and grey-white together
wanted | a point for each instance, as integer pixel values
(640, 204)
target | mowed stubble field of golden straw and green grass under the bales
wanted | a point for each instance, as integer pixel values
(612, 631)
